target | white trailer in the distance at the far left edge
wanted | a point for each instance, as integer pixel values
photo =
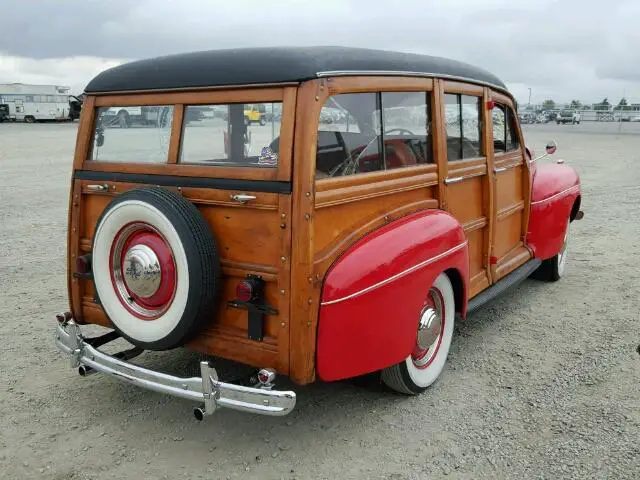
(30, 103)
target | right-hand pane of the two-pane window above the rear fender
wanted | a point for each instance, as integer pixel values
(406, 129)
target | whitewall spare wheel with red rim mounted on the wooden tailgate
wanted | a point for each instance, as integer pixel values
(155, 267)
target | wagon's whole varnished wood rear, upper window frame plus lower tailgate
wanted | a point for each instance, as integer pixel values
(252, 238)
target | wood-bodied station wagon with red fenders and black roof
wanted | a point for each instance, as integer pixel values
(381, 196)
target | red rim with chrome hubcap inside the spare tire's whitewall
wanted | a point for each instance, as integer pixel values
(143, 270)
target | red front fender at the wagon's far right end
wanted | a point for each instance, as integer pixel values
(554, 193)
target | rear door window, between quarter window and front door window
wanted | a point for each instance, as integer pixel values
(464, 126)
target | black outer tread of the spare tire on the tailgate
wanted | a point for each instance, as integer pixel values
(202, 259)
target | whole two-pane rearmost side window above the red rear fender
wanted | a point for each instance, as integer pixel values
(367, 132)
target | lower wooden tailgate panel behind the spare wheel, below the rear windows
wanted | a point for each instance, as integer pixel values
(252, 240)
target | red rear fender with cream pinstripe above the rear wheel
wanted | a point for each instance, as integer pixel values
(374, 293)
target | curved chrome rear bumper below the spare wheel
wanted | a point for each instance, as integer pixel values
(206, 390)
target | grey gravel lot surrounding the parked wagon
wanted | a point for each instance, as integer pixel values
(543, 383)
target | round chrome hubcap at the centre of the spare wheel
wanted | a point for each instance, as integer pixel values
(142, 272)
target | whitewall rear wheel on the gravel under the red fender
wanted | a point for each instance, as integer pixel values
(433, 339)
